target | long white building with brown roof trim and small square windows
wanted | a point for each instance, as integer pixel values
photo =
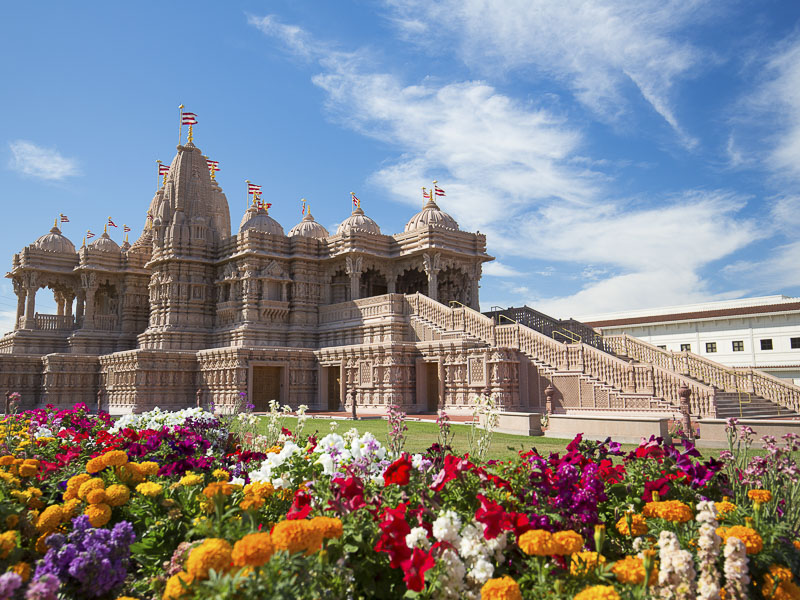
(757, 332)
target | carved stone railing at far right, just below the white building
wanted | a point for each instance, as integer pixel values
(747, 379)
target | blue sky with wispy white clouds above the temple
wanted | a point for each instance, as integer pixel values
(618, 154)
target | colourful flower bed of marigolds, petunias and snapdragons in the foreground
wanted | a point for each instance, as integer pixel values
(187, 505)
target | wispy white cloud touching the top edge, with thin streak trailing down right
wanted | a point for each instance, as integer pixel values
(597, 47)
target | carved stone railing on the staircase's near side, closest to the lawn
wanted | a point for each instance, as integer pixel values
(578, 358)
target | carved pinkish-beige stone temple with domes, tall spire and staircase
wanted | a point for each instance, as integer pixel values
(191, 312)
